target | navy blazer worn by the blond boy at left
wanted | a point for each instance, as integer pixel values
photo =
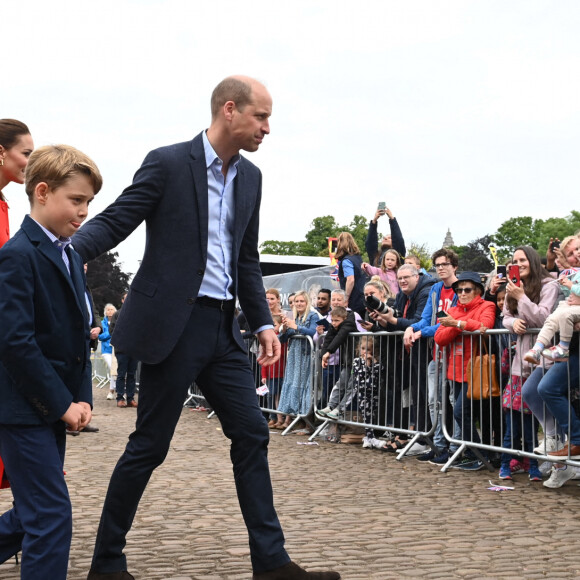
(44, 330)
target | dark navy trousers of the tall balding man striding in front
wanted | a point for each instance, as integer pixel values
(207, 354)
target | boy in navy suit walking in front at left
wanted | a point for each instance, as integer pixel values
(45, 370)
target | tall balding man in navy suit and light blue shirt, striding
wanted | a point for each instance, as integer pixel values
(200, 201)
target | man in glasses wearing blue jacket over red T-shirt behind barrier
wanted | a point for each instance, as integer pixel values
(441, 298)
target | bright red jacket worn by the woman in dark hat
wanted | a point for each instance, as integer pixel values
(476, 313)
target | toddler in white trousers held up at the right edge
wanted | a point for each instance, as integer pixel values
(562, 319)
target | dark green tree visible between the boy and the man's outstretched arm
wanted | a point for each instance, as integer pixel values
(107, 281)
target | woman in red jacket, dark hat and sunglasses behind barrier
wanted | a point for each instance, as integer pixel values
(471, 314)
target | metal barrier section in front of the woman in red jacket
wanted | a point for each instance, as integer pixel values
(499, 424)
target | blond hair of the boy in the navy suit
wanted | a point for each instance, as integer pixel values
(55, 164)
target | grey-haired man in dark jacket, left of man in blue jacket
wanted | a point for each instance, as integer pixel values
(408, 307)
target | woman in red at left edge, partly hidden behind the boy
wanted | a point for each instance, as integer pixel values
(15, 147)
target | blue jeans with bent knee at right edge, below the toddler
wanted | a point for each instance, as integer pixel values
(553, 388)
